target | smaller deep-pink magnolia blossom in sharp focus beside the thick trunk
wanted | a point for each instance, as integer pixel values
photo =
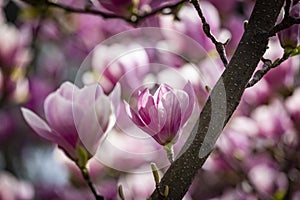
(163, 114)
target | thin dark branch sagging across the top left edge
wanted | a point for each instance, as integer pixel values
(135, 19)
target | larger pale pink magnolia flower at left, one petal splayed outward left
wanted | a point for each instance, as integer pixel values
(76, 117)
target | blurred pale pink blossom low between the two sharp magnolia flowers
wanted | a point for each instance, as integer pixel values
(124, 151)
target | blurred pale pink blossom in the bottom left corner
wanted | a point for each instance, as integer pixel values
(13, 189)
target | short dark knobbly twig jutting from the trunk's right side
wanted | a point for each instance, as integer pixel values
(267, 66)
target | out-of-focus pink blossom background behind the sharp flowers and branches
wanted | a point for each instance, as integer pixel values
(256, 157)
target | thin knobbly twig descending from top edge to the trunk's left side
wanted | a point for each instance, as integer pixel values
(206, 28)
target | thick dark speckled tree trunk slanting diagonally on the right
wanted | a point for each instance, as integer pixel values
(234, 79)
